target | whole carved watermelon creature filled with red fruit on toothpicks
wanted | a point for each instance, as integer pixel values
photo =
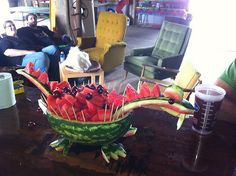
(91, 115)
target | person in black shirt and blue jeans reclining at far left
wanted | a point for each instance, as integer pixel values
(18, 52)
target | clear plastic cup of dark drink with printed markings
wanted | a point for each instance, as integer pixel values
(208, 99)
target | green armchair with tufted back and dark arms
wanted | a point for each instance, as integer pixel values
(168, 52)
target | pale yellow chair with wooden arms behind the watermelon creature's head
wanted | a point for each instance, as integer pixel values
(187, 77)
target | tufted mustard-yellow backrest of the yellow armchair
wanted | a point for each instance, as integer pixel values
(111, 27)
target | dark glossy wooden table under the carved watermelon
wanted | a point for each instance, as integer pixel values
(156, 149)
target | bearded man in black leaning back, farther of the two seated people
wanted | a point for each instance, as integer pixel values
(42, 36)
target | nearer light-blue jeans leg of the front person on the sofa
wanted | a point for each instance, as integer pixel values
(39, 59)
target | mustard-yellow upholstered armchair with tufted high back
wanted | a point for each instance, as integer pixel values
(108, 48)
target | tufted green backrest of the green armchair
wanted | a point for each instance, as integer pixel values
(170, 40)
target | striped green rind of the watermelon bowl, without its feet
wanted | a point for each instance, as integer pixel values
(90, 133)
